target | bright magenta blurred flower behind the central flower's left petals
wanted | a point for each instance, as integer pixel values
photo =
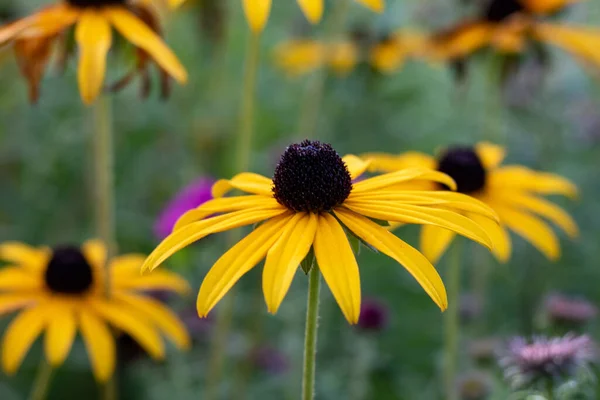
(190, 197)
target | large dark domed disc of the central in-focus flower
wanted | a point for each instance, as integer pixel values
(311, 177)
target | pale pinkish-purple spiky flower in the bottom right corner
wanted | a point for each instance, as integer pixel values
(544, 359)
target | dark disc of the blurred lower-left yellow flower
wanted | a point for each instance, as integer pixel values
(68, 272)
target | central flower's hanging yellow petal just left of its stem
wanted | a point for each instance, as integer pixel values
(285, 256)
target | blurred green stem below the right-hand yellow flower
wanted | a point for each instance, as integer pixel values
(452, 323)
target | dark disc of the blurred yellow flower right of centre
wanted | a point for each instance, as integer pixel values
(464, 166)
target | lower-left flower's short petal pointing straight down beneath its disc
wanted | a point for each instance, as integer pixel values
(60, 333)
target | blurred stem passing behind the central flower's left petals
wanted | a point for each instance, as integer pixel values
(243, 151)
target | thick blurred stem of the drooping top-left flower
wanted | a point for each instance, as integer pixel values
(104, 193)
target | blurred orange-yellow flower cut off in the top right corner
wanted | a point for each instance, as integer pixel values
(509, 25)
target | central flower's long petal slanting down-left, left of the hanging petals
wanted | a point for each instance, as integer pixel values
(238, 260)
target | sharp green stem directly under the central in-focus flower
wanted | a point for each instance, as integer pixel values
(310, 334)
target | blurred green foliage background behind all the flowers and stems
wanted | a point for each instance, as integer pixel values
(549, 115)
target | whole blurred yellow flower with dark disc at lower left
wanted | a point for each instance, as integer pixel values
(62, 291)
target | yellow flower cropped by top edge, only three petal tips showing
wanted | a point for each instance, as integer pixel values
(257, 11)
